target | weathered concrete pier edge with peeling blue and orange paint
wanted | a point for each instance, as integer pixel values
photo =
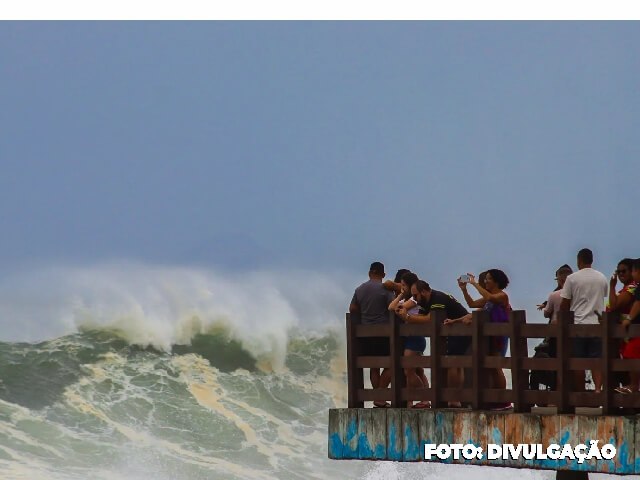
(400, 435)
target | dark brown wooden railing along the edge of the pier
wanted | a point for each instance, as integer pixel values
(565, 397)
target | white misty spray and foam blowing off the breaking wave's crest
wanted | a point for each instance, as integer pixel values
(163, 306)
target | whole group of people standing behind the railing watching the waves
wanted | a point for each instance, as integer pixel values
(413, 300)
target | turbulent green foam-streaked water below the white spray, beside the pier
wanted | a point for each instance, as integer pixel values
(90, 404)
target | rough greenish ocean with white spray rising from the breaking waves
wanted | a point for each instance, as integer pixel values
(125, 371)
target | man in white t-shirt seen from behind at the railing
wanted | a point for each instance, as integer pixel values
(583, 293)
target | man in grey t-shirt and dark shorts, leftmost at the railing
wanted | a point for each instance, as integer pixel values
(371, 301)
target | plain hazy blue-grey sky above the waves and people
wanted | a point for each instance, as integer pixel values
(444, 147)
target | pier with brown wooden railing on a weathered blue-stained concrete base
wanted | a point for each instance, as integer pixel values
(575, 417)
